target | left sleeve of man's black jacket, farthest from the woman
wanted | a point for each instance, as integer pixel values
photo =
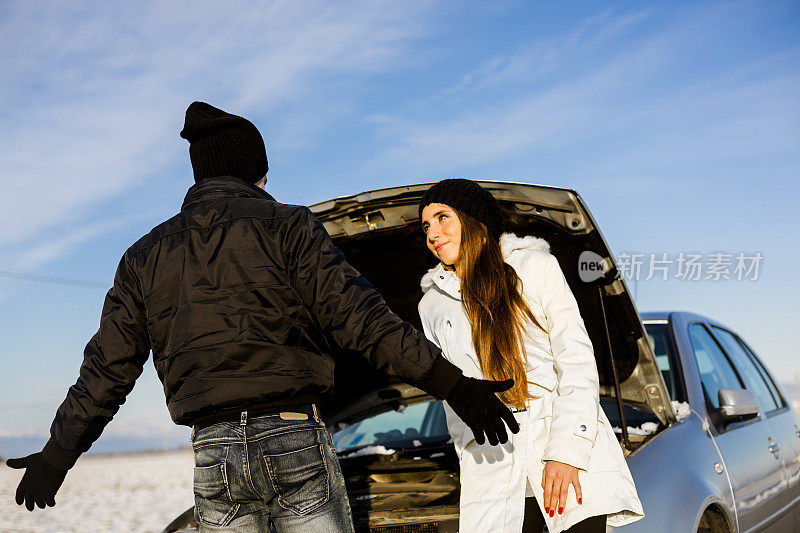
(112, 361)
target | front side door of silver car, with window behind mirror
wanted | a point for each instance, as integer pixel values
(756, 474)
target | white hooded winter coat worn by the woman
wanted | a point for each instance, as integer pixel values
(566, 424)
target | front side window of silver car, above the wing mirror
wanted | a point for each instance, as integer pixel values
(715, 370)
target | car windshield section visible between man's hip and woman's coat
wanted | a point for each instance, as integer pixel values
(416, 425)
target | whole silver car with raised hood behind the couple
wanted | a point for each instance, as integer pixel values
(709, 438)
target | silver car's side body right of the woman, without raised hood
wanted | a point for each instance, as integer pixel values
(733, 462)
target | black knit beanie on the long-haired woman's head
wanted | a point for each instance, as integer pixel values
(468, 197)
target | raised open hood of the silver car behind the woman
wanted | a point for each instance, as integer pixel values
(379, 232)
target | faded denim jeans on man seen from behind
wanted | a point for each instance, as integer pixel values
(268, 474)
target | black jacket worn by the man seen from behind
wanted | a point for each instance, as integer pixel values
(242, 301)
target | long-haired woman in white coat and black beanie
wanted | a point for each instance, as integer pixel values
(499, 307)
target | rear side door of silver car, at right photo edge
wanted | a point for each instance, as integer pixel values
(783, 420)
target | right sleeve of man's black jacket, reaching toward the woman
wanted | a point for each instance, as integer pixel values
(348, 308)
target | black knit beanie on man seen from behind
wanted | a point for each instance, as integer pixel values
(221, 144)
